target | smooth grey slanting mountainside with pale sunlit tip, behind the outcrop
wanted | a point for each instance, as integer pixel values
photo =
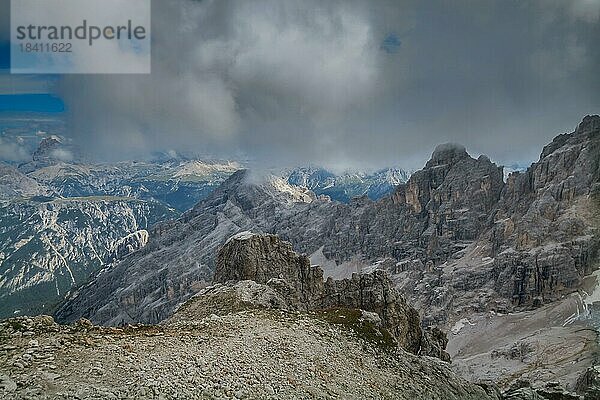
(179, 259)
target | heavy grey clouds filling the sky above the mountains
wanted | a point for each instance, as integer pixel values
(345, 84)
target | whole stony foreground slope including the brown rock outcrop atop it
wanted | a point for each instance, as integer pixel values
(272, 328)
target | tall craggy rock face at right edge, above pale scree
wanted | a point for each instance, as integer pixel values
(545, 234)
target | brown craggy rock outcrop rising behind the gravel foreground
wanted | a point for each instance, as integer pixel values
(270, 274)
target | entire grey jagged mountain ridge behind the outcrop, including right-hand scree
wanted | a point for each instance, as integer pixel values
(462, 245)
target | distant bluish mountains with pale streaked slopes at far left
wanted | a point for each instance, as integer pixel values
(62, 220)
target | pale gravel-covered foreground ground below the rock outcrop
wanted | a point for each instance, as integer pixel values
(252, 354)
